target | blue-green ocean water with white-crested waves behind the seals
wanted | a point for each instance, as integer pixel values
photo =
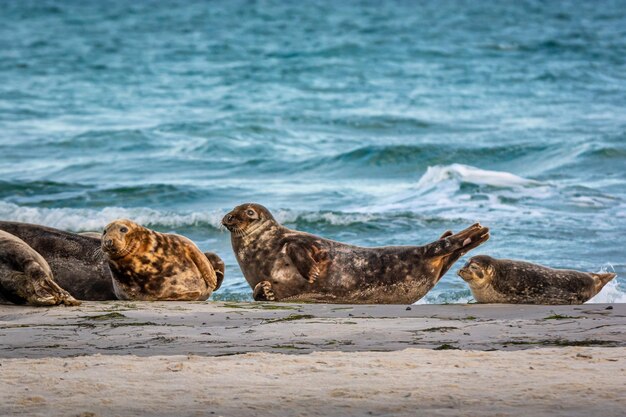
(367, 122)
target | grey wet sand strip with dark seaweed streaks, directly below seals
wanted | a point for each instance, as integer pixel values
(226, 328)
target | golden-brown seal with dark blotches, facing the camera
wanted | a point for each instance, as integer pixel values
(148, 265)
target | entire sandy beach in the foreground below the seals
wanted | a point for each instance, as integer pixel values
(126, 359)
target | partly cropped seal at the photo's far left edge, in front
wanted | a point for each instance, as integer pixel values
(26, 277)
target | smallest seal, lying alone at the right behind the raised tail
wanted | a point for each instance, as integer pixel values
(517, 282)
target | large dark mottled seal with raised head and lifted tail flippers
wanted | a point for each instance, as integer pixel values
(288, 265)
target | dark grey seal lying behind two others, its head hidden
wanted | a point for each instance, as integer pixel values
(77, 263)
